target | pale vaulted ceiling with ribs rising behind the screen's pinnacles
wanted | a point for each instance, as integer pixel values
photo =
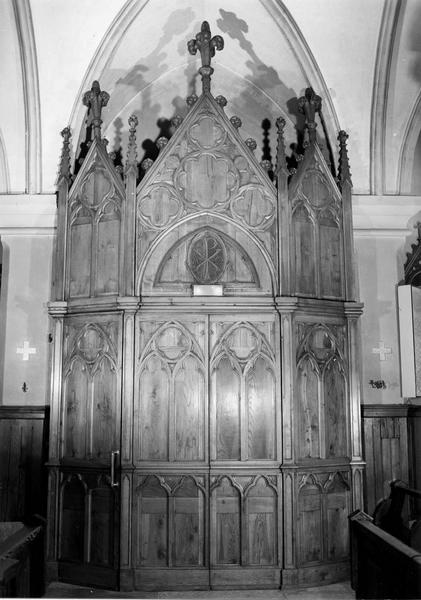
(363, 58)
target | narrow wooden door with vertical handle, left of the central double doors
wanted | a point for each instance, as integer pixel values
(90, 444)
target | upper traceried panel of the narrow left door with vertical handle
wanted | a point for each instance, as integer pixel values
(90, 411)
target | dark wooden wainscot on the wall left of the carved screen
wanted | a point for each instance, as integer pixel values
(23, 452)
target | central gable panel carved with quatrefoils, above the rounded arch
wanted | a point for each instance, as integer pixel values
(207, 171)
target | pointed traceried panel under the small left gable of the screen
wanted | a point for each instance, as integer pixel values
(94, 232)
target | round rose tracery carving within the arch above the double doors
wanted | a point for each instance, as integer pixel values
(207, 258)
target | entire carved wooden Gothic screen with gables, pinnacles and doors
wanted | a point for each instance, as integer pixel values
(205, 427)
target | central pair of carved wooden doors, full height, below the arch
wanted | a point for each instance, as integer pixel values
(206, 449)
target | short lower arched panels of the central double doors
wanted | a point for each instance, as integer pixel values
(199, 531)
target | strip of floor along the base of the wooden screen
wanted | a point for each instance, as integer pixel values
(336, 591)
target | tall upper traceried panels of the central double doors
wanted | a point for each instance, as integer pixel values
(173, 402)
